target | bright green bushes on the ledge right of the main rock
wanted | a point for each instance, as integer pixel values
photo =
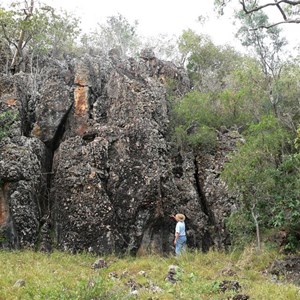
(198, 115)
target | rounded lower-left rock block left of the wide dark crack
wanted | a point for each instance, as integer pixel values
(23, 190)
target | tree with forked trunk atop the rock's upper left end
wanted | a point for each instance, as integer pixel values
(29, 28)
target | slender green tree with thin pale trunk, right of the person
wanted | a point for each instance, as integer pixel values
(252, 171)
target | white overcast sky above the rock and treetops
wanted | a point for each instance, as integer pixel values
(163, 17)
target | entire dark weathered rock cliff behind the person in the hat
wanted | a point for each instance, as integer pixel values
(92, 161)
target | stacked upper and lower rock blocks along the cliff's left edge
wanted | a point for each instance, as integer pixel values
(22, 170)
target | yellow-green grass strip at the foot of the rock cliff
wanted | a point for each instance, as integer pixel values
(65, 276)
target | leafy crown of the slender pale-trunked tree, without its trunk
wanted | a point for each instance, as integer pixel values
(251, 169)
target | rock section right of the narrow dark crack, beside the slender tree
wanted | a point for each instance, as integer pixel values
(217, 201)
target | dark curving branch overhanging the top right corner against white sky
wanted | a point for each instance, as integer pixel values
(288, 9)
